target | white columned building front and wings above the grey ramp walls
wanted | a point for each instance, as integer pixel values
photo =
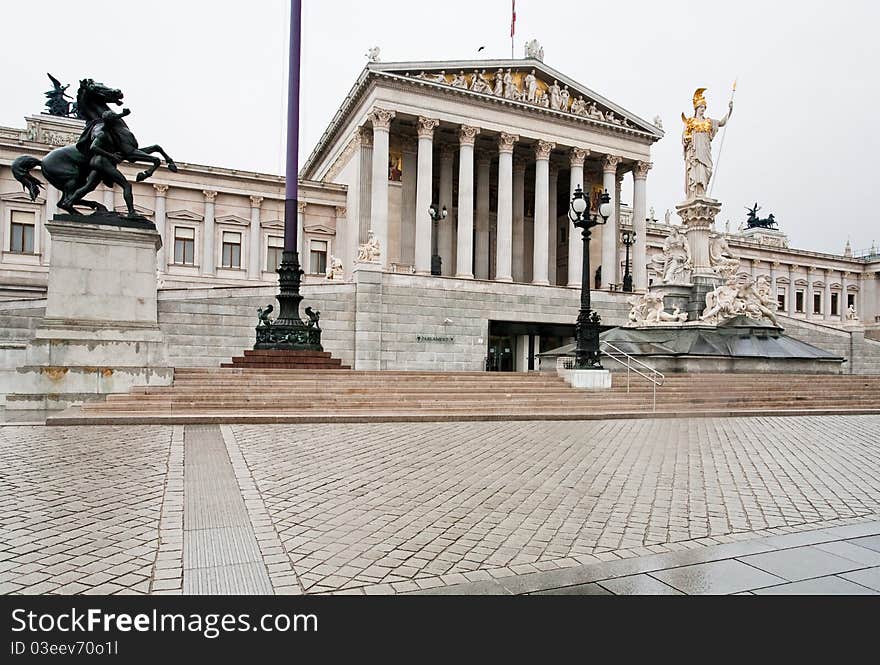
(500, 144)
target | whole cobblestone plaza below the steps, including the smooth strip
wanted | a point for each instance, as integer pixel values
(396, 508)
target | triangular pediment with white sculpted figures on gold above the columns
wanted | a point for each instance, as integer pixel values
(550, 91)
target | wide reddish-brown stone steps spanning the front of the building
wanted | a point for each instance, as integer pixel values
(292, 396)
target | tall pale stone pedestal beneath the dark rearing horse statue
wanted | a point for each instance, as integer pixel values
(100, 334)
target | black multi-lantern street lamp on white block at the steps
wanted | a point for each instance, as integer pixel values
(588, 323)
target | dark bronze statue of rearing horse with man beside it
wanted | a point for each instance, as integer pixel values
(77, 170)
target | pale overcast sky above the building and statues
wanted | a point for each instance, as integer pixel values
(207, 81)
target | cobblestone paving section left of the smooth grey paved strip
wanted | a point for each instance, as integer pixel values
(80, 508)
